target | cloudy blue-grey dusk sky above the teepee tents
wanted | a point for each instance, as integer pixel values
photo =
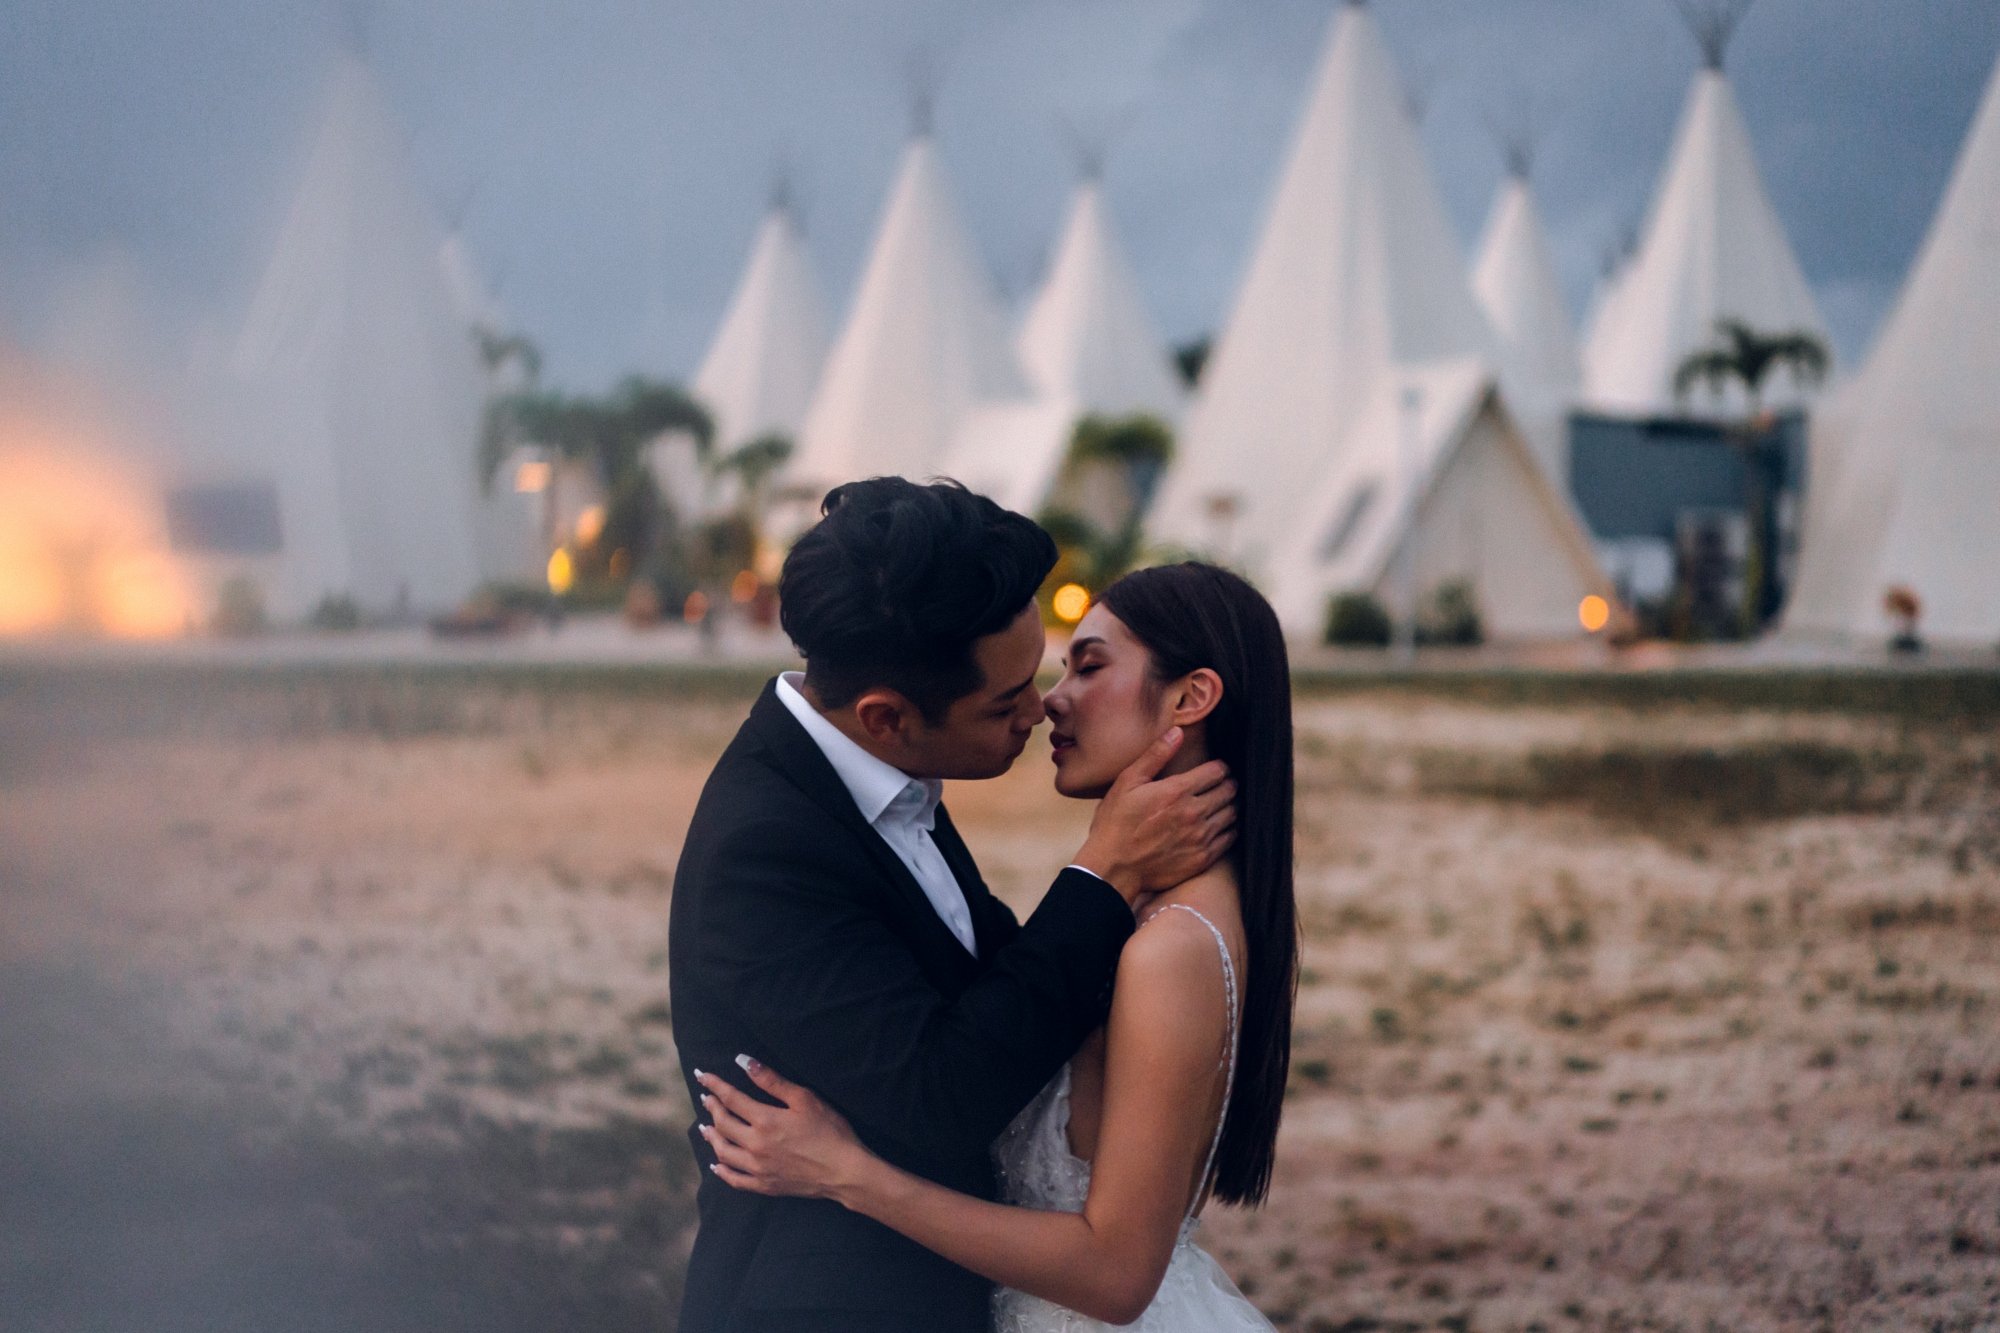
(617, 153)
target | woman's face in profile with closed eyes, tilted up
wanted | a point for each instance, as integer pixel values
(1105, 712)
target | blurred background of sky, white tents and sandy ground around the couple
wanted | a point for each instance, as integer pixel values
(405, 413)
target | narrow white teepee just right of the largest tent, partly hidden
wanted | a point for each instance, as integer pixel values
(1523, 299)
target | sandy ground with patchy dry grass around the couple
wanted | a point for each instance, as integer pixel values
(343, 1004)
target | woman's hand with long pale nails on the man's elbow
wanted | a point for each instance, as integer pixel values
(801, 1148)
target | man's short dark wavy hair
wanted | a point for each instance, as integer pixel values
(899, 581)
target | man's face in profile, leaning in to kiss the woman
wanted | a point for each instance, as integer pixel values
(985, 732)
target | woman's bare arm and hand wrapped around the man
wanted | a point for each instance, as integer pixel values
(1107, 1262)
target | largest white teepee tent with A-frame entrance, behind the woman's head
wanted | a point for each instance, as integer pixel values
(1353, 405)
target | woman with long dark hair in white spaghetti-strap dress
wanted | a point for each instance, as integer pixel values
(1177, 1100)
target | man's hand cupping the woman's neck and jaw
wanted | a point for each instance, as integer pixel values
(1153, 834)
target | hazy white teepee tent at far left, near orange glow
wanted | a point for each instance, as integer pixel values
(365, 387)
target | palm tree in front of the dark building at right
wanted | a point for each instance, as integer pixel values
(1747, 357)
